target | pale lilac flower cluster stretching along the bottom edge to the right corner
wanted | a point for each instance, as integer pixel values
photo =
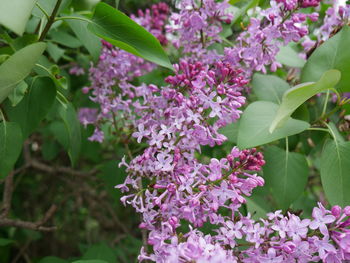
(279, 238)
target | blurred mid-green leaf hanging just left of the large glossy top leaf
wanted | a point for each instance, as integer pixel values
(91, 42)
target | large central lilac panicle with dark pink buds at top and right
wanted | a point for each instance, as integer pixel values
(175, 122)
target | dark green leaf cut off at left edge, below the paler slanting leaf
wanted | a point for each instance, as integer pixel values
(10, 146)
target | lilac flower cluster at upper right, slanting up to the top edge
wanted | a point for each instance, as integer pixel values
(281, 24)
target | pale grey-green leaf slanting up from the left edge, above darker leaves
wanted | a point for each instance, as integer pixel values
(17, 67)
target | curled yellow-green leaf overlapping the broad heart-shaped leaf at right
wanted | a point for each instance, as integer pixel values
(297, 95)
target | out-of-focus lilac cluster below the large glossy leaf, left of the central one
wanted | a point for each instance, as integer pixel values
(112, 73)
